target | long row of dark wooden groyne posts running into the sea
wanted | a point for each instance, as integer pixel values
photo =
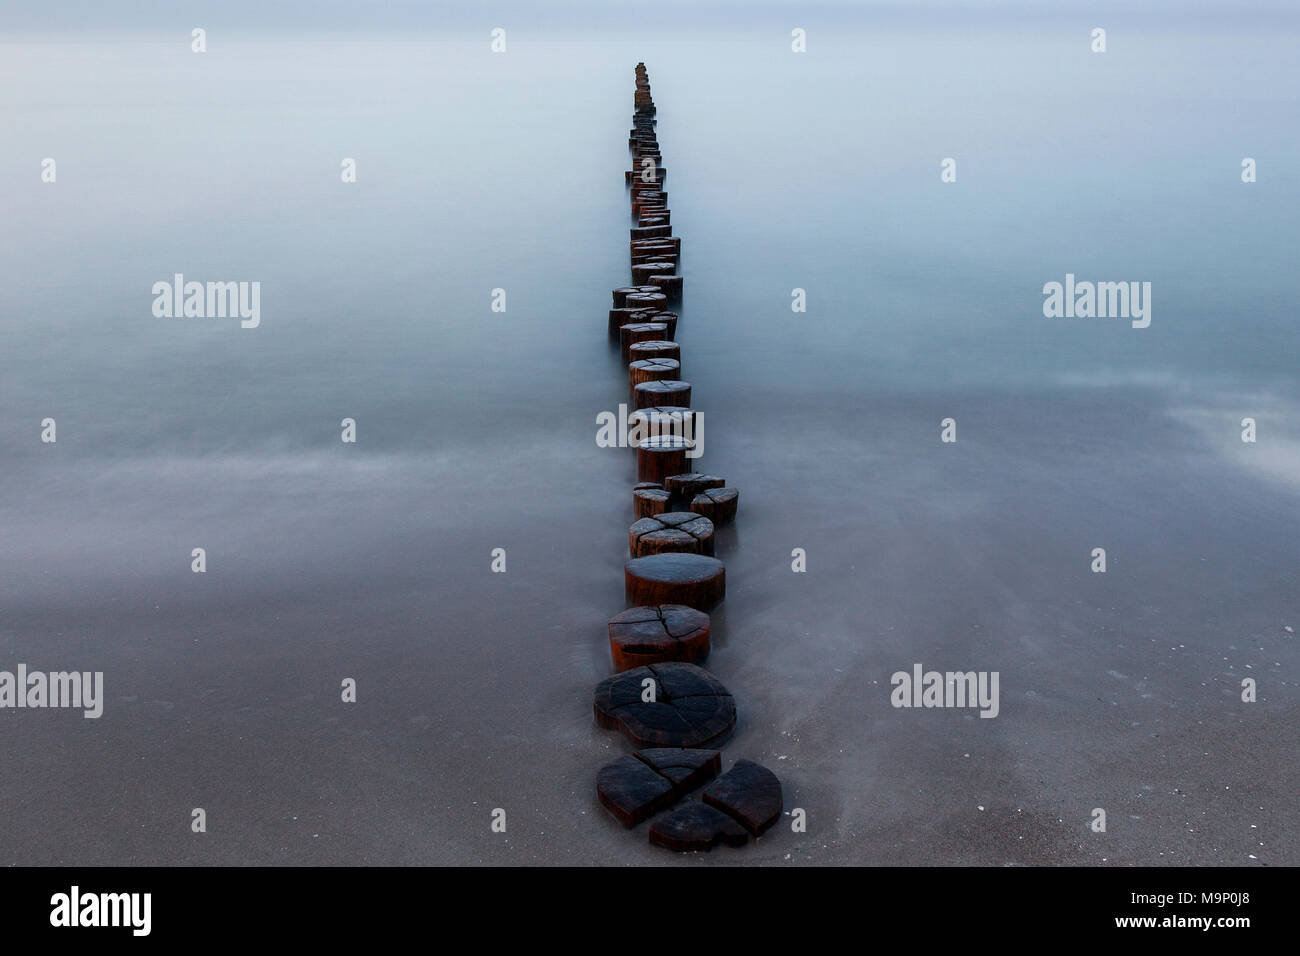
(660, 698)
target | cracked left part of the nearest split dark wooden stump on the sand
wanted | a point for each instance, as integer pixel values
(639, 785)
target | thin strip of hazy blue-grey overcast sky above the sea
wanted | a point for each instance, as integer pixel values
(70, 19)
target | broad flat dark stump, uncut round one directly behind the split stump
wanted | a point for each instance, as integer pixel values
(691, 707)
